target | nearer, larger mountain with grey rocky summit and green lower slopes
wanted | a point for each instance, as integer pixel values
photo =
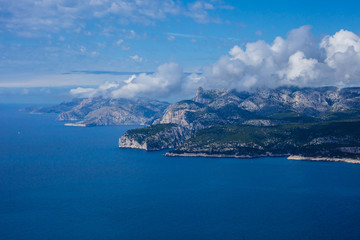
(188, 125)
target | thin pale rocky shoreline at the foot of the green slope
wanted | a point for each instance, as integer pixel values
(289, 157)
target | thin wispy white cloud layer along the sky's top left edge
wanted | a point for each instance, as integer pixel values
(27, 16)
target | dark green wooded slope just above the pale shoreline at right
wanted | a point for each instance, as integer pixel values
(309, 139)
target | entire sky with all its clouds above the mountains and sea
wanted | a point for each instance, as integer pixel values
(166, 48)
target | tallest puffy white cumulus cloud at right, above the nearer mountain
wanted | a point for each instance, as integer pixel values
(300, 60)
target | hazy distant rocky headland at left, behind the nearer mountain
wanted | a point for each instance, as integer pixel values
(100, 111)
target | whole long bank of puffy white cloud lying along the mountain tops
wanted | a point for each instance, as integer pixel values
(297, 60)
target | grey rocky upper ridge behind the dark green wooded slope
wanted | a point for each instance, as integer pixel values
(261, 108)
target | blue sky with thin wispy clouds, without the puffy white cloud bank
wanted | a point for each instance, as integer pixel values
(49, 43)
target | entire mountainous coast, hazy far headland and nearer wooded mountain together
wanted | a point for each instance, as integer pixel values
(307, 122)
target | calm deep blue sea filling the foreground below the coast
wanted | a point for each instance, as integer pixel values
(60, 182)
